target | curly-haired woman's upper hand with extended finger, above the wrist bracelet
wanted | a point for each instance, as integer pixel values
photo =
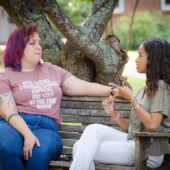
(124, 92)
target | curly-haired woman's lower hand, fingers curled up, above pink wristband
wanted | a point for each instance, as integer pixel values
(108, 105)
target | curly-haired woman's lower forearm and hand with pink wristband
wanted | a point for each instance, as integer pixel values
(110, 110)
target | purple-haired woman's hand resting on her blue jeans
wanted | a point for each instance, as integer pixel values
(29, 142)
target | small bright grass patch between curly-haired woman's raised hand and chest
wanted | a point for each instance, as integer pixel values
(136, 84)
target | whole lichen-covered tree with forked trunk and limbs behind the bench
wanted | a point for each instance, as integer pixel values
(84, 54)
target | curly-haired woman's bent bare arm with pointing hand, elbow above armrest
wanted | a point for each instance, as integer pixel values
(151, 121)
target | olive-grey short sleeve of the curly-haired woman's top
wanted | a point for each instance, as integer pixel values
(160, 101)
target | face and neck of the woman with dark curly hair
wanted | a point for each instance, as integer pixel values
(141, 61)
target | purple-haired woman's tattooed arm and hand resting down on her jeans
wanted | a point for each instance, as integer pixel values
(7, 108)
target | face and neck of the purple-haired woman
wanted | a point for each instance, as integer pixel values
(32, 52)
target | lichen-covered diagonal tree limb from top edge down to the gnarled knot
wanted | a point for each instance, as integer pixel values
(100, 53)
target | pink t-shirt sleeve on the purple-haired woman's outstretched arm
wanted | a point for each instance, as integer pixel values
(61, 72)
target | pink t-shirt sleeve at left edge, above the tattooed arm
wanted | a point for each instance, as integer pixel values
(4, 84)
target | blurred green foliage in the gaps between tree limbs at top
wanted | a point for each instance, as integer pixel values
(76, 10)
